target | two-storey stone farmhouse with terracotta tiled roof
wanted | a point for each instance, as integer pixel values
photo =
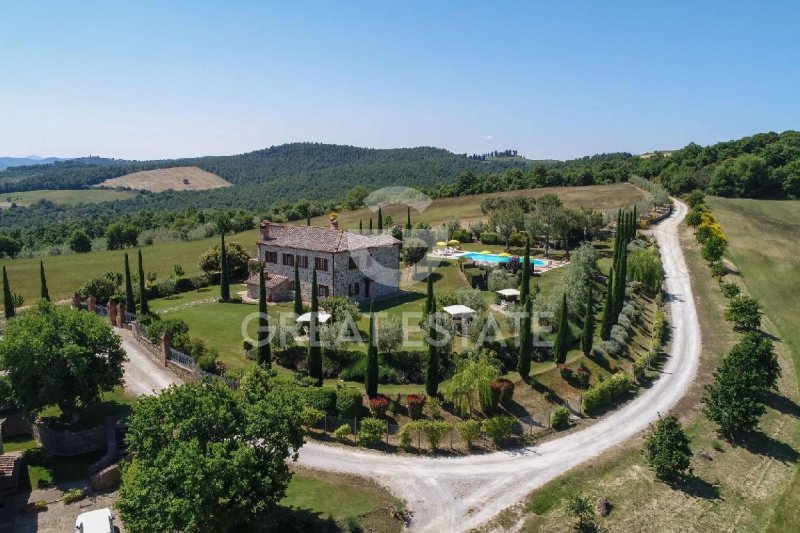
(359, 266)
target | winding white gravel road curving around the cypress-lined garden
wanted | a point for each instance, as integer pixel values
(457, 494)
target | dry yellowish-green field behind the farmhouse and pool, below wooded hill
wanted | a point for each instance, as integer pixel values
(468, 208)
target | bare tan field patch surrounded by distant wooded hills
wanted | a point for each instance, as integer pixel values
(162, 179)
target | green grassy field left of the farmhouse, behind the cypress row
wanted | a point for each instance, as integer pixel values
(66, 273)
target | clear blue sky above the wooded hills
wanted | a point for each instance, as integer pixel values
(551, 79)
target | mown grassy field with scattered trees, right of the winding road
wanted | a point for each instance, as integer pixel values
(747, 487)
